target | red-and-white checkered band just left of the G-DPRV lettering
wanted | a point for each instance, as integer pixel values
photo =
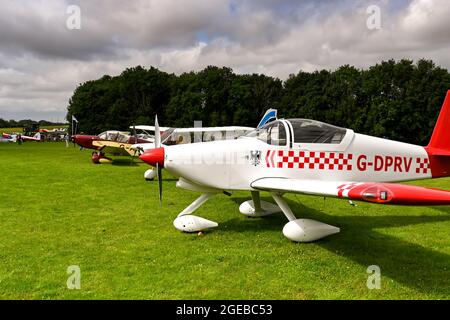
(293, 159)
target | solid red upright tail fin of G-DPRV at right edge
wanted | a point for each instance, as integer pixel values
(440, 140)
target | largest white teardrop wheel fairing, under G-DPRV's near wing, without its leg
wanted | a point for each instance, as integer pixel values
(307, 230)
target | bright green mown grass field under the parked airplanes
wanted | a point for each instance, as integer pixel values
(58, 209)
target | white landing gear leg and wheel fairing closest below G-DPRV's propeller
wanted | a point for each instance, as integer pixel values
(189, 223)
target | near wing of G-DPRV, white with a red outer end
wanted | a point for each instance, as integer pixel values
(388, 193)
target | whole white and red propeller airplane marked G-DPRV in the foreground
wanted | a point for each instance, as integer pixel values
(308, 157)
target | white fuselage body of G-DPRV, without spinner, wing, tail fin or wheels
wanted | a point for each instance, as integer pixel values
(235, 164)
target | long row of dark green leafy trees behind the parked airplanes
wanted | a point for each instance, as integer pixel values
(398, 100)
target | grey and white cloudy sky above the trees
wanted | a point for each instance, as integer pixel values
(45, 53)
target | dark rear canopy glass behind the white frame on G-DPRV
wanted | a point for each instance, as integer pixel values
(311, 131)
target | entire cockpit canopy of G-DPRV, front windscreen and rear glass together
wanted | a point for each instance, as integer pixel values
(302, 131)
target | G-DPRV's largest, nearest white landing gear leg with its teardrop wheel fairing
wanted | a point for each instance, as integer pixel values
(302, 230)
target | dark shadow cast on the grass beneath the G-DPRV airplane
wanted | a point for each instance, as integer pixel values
(410, 264)
